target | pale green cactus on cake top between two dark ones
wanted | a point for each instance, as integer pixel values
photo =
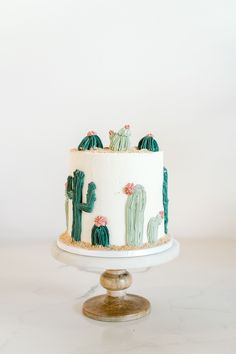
(120, 141)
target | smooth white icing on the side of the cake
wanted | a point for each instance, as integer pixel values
(111, 171)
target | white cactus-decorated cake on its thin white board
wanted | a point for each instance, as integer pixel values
(116, 197)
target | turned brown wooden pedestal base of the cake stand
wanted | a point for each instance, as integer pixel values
(116, 305)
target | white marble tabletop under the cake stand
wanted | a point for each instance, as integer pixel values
(193, 304)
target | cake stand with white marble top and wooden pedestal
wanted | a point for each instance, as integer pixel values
(116, 305)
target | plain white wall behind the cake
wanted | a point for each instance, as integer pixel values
(69, 66)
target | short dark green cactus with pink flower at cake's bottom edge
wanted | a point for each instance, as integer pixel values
(100, 232)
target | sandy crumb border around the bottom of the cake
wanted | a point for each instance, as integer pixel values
(67, 240)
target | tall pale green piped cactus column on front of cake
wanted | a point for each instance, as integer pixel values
(135, 206)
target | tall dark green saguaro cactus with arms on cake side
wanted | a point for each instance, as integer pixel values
(74, 192)
